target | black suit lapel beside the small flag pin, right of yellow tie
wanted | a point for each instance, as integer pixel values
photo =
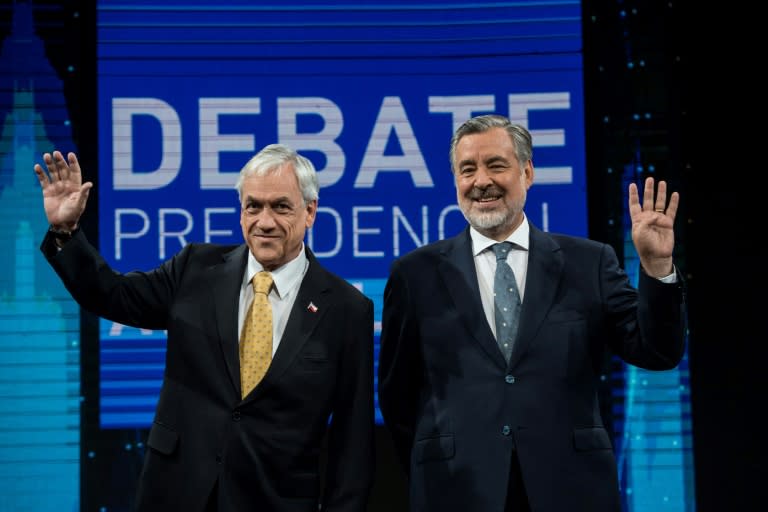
(312, 303)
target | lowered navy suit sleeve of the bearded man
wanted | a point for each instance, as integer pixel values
(400, 366)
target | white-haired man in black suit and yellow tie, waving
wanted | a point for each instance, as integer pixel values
(214, 445)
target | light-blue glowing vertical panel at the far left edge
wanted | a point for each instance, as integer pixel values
(39, 323)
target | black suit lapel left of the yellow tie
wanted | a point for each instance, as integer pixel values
(224, 280)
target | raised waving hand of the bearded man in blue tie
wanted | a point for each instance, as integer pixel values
(652, 227)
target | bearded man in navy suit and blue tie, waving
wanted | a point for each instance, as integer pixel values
(493, 423)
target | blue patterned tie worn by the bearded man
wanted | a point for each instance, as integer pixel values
(506, 300)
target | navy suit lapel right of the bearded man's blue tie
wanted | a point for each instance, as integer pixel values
(545, 267)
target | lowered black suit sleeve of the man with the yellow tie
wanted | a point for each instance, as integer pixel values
(350, 467)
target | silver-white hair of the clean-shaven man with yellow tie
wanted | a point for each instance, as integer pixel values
(274, 156)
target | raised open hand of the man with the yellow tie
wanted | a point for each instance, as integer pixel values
(64, 193)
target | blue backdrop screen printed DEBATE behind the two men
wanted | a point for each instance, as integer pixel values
(370, 93)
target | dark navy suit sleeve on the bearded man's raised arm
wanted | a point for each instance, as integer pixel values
(648, 325)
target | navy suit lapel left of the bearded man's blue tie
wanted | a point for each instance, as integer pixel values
(458, 272)
